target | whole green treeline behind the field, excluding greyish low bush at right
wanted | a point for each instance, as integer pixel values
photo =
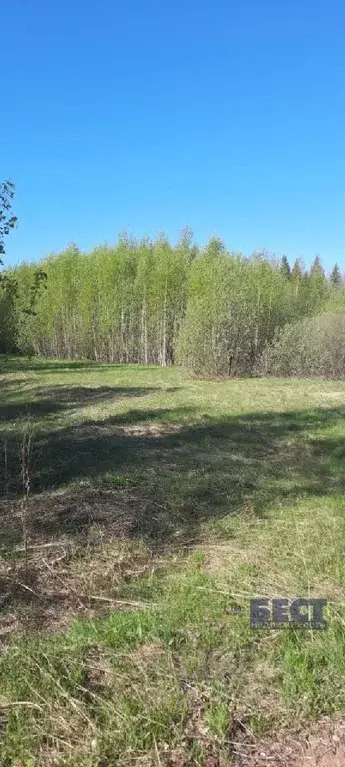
(147, 301)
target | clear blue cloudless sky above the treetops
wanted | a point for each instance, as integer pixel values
(150, 115)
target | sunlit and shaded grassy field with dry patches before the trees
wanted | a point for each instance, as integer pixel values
(140, 511)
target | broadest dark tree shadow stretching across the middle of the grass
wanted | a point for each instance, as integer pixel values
(145, 474)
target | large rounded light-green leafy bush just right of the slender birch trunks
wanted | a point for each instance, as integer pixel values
(234, 307)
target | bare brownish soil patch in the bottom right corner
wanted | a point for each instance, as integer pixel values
(321, 746)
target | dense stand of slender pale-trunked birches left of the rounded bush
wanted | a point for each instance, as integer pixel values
(122, 304)
